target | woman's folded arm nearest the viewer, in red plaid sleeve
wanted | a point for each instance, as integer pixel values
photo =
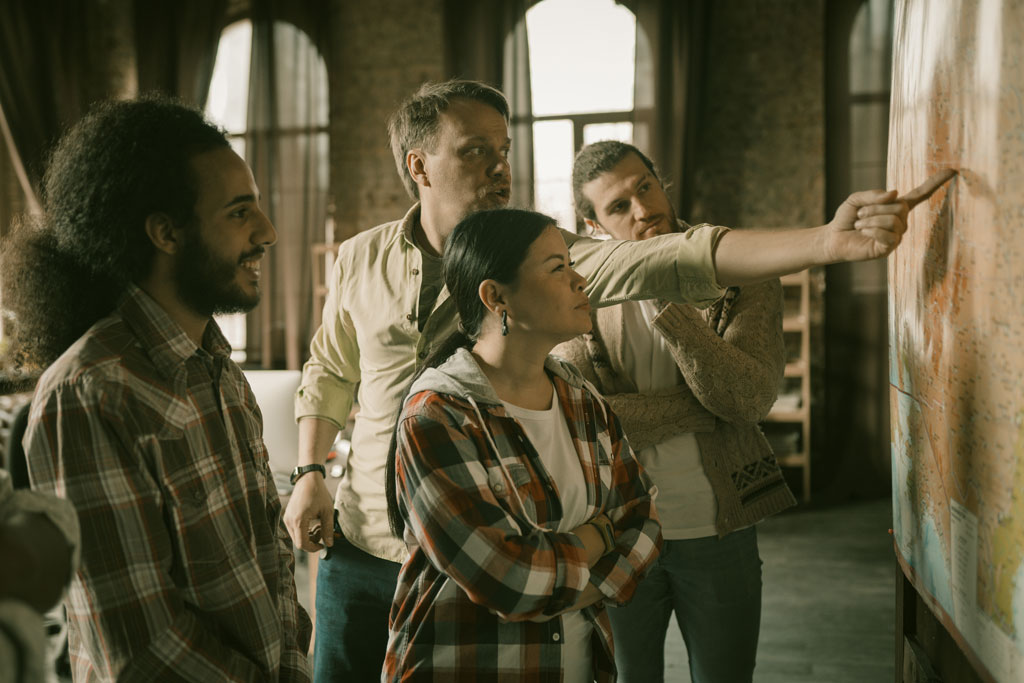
(517, 571)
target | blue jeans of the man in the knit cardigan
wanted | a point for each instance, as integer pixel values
(714, 586)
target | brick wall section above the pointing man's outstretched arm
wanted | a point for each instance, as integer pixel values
(761, 159)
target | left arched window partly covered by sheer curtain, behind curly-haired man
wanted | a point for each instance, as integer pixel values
(270, 93)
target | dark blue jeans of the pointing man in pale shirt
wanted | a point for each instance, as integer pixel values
(355, 591)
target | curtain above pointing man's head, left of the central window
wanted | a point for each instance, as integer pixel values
(487, 41)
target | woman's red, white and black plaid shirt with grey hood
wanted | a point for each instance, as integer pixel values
(486, 570)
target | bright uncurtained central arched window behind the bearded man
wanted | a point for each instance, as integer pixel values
(582, 57)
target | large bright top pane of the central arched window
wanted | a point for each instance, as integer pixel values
(581, 57)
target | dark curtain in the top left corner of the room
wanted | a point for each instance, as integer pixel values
(46, 67)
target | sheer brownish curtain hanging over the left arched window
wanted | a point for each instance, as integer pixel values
(288, 100)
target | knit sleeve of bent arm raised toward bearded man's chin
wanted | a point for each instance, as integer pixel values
(735, 376)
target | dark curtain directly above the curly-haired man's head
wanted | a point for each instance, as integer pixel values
(177, 46)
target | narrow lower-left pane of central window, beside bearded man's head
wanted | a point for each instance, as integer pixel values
(553, 172)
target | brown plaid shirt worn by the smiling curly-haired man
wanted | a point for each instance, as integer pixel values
(187, 570)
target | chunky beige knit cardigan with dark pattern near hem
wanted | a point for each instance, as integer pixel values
(732, 358)
